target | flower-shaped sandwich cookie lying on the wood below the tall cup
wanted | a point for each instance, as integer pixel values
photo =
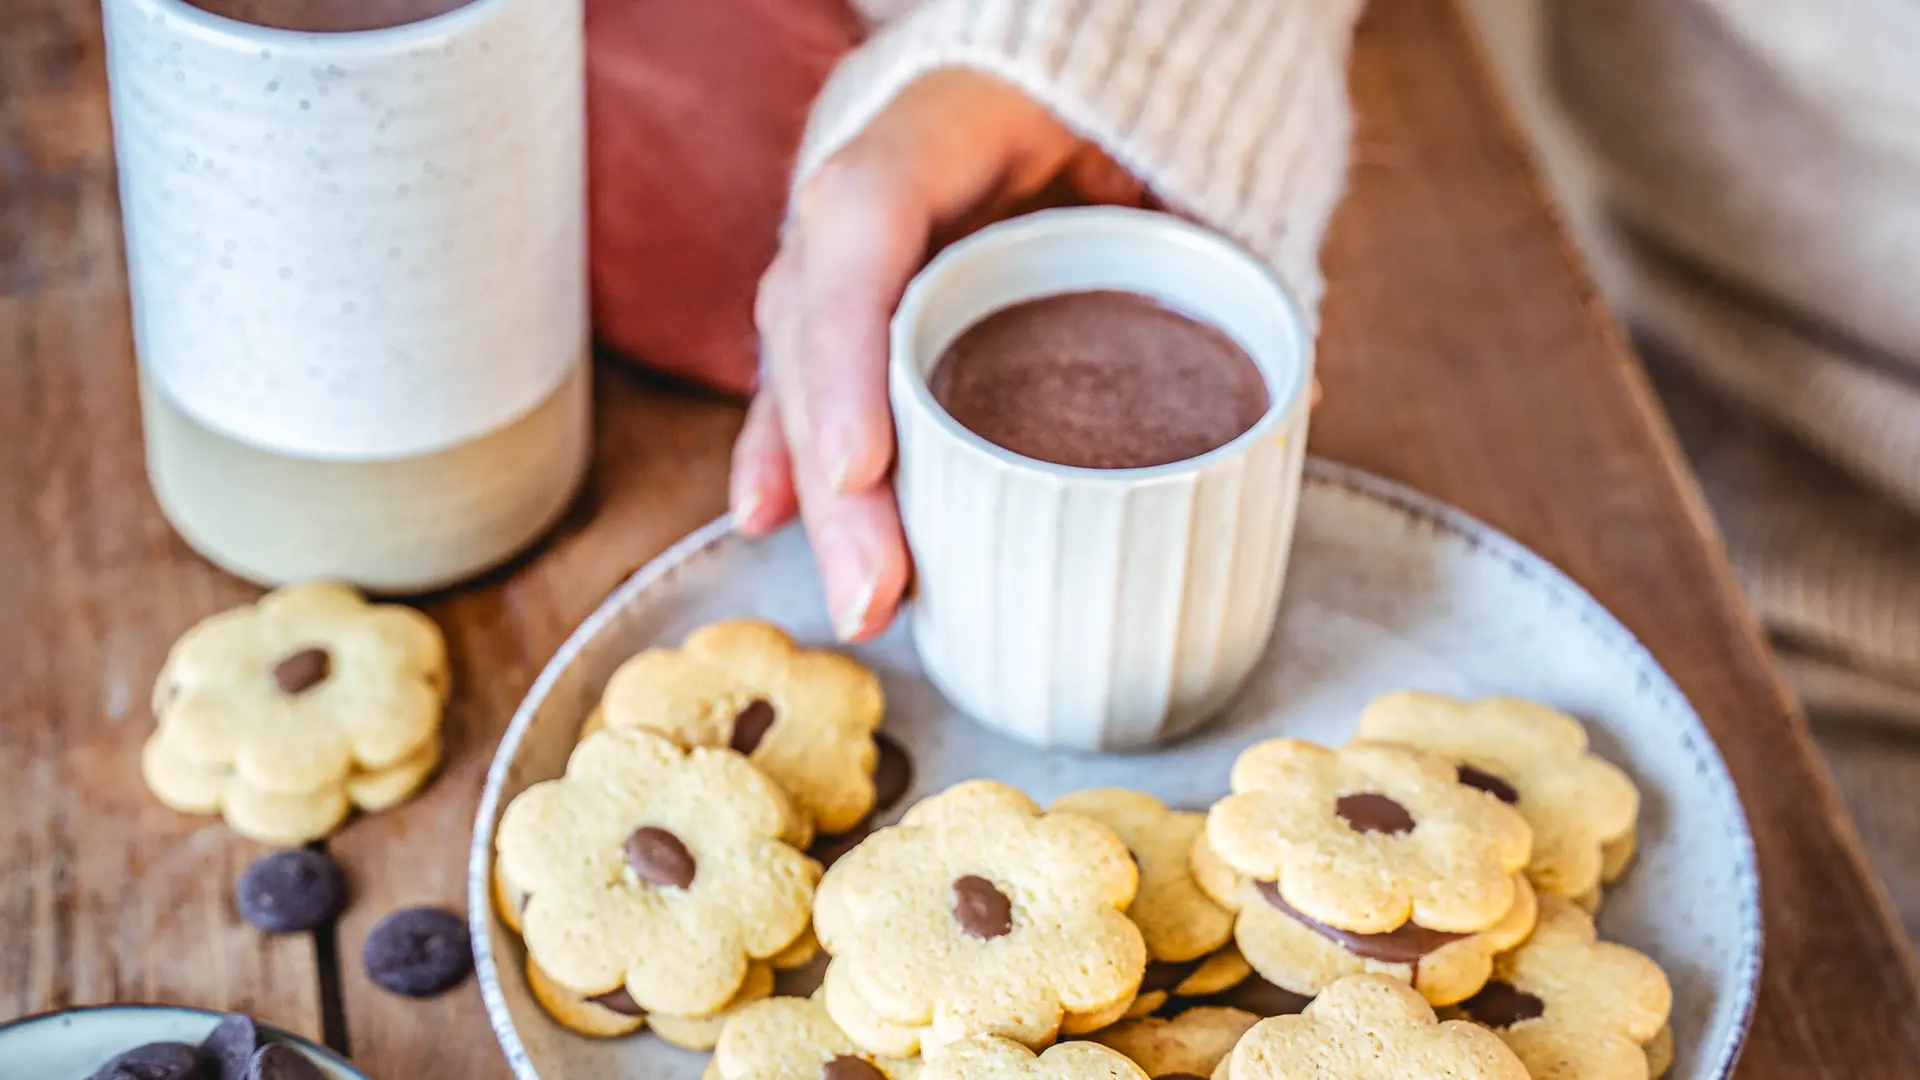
(285, 714)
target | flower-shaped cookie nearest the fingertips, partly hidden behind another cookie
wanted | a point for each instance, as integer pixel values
(805, 718)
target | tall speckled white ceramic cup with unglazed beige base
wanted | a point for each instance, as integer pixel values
(358, 272)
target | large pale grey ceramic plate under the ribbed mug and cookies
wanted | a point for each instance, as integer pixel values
(1387, 591)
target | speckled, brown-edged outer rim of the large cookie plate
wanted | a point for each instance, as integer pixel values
(1322, 474)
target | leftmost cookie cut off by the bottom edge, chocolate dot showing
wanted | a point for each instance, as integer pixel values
(794, 1039)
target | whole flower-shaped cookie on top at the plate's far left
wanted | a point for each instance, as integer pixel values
(658, 870)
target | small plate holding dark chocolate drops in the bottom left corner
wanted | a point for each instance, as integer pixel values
(74, 1043)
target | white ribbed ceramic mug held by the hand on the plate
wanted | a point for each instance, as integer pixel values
(1097, 608)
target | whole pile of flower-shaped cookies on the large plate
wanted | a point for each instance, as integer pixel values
(1414, 904)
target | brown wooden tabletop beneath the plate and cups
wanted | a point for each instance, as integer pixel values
(1464, 355)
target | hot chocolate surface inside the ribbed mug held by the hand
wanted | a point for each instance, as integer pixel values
(1099, 381)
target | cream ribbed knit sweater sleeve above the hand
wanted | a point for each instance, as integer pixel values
(1234, 112)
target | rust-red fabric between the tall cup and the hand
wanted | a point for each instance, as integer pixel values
(694, 118)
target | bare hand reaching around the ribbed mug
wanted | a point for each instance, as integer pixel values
(953, 153)
